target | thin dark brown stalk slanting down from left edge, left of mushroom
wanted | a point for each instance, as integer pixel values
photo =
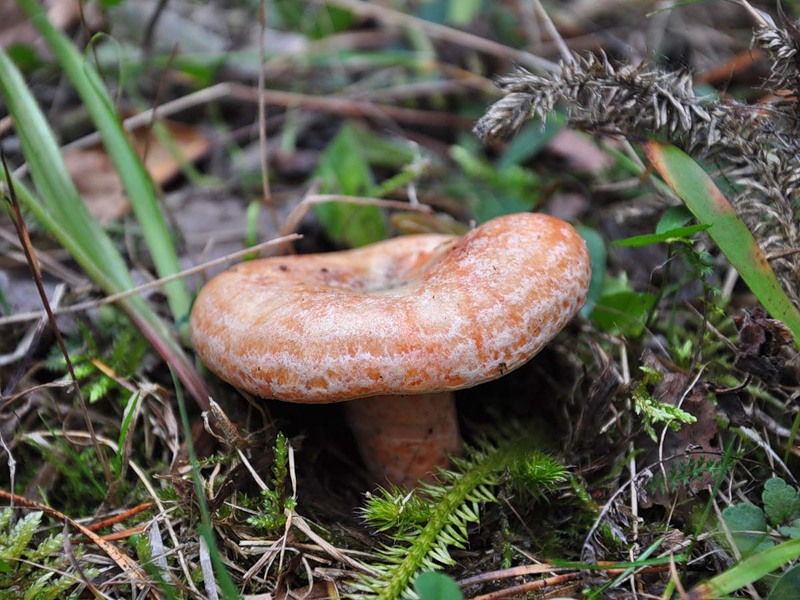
(27, 247)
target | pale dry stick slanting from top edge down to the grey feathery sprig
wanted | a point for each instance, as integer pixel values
(442, 32)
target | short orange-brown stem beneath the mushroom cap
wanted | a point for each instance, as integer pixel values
(402, 439)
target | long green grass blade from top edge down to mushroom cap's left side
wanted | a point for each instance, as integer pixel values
(135, 179)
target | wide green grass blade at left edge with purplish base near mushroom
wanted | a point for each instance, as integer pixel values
(62, 212)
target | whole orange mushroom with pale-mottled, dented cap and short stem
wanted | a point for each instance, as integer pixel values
(394, 328)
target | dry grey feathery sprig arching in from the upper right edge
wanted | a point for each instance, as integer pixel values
(758, 144)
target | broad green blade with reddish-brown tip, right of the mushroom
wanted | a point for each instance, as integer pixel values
(709, 206)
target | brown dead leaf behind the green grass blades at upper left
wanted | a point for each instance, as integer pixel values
(98, 182)
